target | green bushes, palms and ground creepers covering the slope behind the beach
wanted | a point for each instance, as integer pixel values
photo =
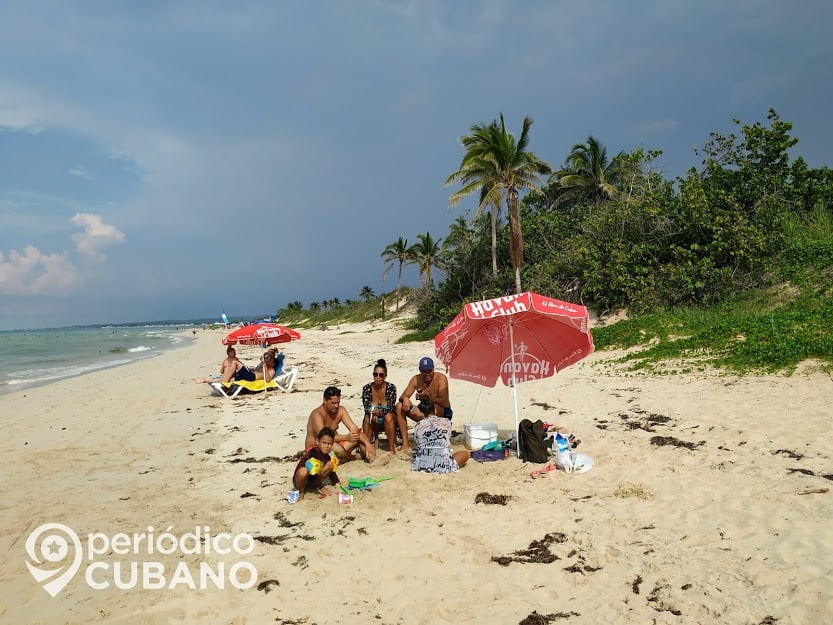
(729, 266)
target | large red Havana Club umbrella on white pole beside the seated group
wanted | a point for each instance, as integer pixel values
(515, 338)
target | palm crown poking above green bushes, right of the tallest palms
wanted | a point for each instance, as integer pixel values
(587, 172)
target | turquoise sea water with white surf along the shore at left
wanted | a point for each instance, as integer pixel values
(35, 357)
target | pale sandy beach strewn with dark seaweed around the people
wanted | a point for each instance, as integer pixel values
(709, 500)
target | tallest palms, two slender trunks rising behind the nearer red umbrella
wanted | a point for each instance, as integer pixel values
(499, 167)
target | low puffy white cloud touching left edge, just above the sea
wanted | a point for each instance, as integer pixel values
(35, 273)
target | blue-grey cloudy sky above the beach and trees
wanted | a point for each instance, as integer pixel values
(176, 159)
